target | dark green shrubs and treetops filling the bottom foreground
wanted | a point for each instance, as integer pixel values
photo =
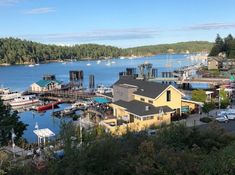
(174, 150)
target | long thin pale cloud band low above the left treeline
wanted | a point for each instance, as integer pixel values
(99, 35)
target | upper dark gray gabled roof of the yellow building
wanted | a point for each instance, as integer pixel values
(145, 88)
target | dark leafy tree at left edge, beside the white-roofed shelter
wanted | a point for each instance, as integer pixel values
(9, 119)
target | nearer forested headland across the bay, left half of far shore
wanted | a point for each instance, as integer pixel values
(16, 51)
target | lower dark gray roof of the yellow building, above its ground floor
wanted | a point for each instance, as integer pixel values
(139, 108)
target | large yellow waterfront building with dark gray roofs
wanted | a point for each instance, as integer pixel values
(139, 104)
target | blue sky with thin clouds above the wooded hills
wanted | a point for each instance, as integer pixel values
(121, 23)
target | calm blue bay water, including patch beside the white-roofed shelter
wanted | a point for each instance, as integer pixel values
(21, 77)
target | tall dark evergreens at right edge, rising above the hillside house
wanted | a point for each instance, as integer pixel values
(226, 45)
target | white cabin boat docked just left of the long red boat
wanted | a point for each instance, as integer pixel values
(24, 100)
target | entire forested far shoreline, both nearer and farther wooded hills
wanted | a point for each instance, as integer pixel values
(17, 51)
